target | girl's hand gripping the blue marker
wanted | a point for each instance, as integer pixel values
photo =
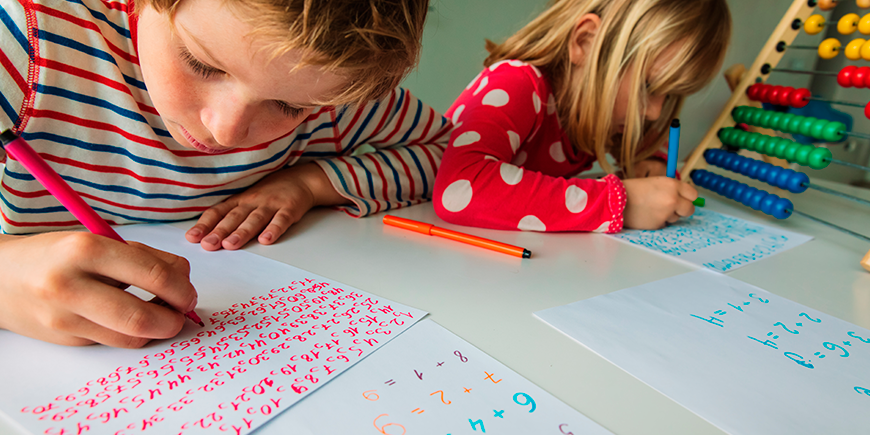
(653, 202)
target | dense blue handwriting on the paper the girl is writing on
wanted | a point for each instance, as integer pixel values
(707, 229)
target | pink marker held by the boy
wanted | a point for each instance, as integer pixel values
(19, 150)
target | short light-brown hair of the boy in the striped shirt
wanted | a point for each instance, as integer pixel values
(372, 43)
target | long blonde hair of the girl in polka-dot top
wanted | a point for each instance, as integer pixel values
(632, 33)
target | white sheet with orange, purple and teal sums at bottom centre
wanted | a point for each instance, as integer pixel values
(429, 381)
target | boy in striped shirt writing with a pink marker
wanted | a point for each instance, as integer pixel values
(244, 110)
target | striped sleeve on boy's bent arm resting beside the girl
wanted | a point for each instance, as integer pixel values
(409, 138)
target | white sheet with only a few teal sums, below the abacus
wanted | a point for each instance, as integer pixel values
(744, 359)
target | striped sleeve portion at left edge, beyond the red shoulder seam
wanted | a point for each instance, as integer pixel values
(14, 62)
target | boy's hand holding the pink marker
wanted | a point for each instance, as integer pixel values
(63, 288)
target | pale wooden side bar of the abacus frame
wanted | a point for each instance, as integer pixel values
(787, 30)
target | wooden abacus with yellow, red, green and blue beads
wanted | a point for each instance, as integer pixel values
(740, 115)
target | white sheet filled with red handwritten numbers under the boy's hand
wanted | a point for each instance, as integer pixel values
(273, 335)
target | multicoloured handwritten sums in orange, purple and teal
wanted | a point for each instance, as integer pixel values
(525, 404)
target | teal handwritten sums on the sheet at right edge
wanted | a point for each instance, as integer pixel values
(792, 327)
